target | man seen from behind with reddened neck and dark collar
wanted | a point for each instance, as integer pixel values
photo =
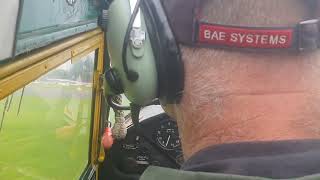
(248, 113)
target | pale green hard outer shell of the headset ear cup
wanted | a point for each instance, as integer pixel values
(139, 82)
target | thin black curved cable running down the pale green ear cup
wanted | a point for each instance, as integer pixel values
(131, 75)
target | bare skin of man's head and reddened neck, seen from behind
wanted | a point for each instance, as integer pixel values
(233, 95)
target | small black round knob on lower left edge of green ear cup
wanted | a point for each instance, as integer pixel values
(113, 84)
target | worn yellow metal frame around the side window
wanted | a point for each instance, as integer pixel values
(26, 68)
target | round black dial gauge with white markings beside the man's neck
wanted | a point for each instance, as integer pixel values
(167, 136)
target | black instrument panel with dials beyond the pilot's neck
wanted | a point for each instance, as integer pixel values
(156, 142)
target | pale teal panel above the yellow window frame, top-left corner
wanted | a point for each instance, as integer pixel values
(38, 23)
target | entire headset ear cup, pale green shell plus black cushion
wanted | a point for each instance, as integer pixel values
(145, 58)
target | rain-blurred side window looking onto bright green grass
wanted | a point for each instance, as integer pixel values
(45, 130)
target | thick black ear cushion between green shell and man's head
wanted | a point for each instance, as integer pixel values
(166, 51)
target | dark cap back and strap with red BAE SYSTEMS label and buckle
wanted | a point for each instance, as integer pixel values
(189, 30)
